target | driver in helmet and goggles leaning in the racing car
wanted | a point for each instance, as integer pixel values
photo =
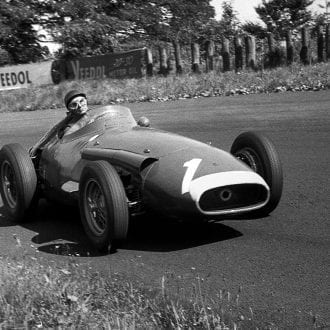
(77, 117)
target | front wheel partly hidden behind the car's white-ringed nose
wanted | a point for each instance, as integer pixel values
(259, 153)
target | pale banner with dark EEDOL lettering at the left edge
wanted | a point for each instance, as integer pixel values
(25, 75)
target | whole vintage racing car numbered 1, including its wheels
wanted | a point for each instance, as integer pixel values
(115, 168)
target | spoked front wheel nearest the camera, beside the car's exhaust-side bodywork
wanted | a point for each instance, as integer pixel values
(103, 205)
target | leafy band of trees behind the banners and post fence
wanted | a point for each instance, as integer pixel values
(93, 27)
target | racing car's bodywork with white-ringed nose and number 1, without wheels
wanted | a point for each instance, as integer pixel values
(172, 173)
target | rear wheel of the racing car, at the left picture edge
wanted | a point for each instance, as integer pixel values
(18, 182)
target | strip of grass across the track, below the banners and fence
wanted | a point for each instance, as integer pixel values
(294, 78)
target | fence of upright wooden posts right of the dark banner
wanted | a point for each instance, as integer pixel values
(242, 52)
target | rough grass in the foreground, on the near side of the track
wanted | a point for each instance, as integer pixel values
(38, 293)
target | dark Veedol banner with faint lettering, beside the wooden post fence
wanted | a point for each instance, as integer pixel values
(116, 65)
